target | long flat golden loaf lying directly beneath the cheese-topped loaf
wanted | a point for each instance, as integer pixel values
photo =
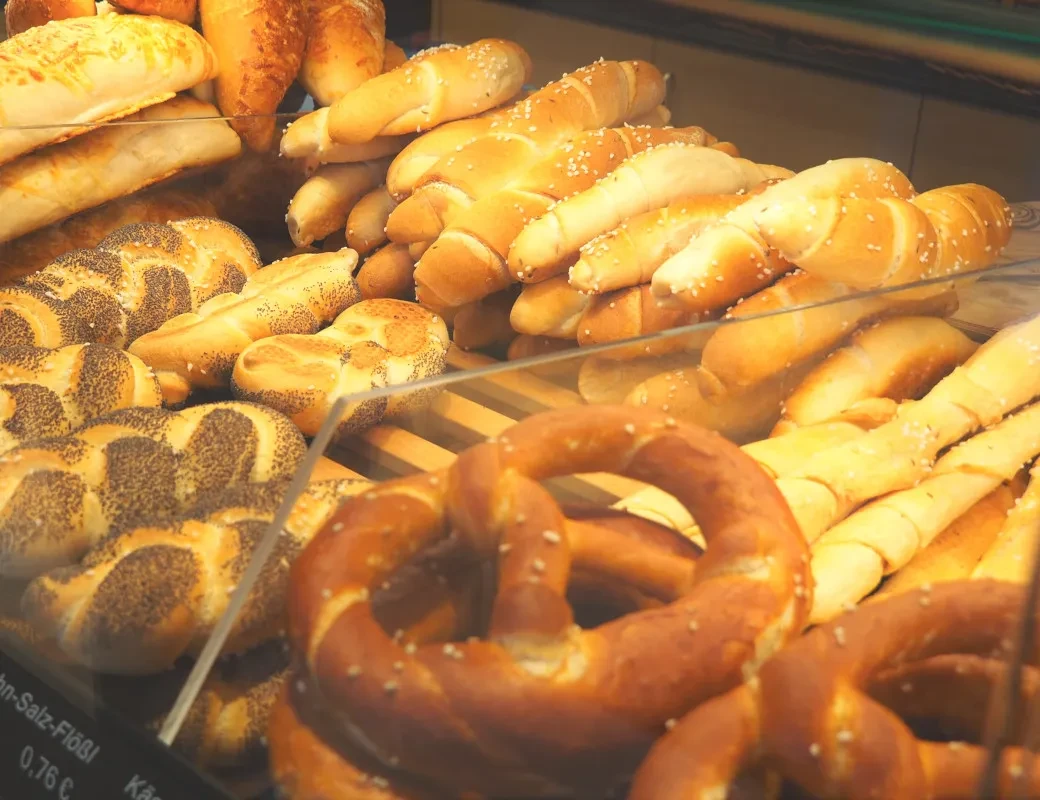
(53, 185)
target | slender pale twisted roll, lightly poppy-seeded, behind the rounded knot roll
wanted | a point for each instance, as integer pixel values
(298, 295)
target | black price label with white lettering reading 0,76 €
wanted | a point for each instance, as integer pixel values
(62, 744)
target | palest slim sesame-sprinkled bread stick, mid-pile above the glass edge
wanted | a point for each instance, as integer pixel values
(645, 183)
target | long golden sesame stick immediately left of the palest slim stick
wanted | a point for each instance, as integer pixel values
(469, 261)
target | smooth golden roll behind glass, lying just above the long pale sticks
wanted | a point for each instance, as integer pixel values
(900, 359)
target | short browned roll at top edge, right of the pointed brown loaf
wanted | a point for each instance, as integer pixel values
(345, 47)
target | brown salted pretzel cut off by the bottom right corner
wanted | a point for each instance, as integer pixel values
(809, 716)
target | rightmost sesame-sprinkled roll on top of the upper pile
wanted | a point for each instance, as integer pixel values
(870, 243)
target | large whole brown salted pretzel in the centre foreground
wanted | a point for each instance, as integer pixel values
(541, 706)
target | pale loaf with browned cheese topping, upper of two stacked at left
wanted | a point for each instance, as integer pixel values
(119, 65)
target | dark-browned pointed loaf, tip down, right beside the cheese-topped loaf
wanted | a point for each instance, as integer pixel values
(259, 45)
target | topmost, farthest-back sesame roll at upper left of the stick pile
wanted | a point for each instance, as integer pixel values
(436, 87)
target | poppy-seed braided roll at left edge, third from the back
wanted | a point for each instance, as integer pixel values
(61, 497)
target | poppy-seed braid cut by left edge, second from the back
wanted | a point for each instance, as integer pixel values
(49, 393)
